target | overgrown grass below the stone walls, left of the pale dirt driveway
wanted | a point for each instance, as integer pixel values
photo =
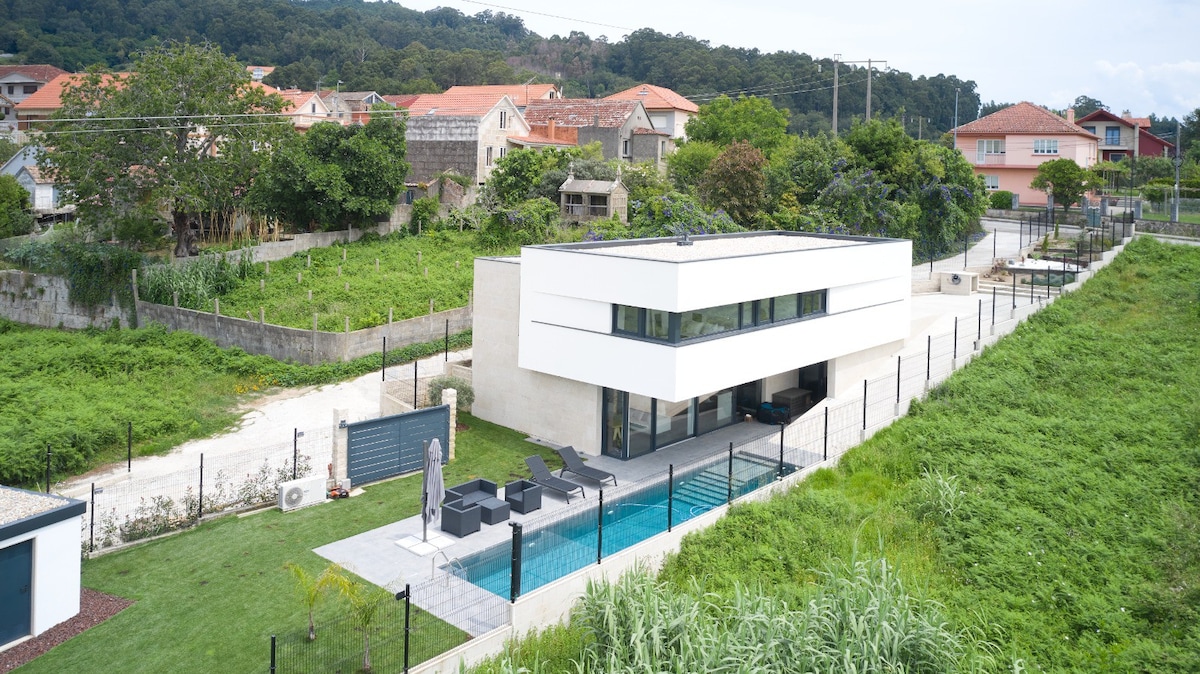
(77, 393)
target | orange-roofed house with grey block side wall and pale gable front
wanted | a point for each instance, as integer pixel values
(464, 134)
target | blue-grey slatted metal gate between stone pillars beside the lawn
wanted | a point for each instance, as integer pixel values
(388, 447)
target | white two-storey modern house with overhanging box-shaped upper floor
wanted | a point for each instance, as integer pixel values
(627, 347)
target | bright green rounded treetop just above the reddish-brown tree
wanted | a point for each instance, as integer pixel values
(751, 119)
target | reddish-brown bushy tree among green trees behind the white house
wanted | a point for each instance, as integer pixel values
(736, 182)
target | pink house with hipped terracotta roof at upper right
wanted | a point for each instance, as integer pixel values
(1007, 147)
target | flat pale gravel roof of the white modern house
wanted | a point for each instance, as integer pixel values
(717, 246)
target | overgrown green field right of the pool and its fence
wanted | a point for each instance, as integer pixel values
(1046, 496)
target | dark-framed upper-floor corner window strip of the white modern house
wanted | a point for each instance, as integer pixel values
(674, 328)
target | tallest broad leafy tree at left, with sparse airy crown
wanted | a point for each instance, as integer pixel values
(181, 134)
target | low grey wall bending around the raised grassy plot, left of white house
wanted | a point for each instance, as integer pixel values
(310, 347)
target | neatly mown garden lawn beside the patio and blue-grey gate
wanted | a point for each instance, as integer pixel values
(208, 600)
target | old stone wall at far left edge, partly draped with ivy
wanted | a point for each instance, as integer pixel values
(44, 300)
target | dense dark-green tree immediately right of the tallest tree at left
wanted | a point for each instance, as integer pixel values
(335, 176)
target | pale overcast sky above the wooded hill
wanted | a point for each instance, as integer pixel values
(1143, 56)
